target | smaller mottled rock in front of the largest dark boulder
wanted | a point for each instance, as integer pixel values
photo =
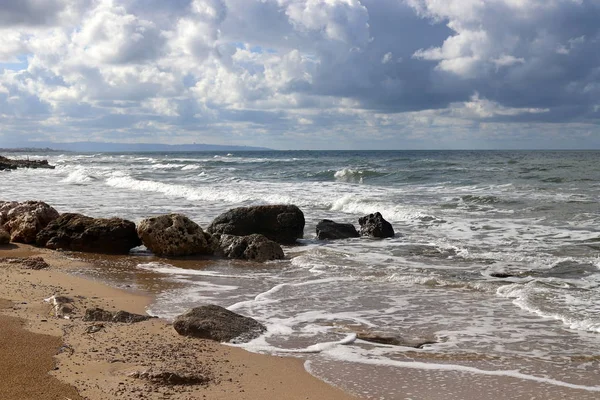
(252, 247)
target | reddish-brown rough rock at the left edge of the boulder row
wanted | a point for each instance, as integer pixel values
(25, 220)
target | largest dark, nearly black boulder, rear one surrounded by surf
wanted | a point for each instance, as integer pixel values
(280, 223)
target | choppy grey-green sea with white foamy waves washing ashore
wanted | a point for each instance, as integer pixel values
(490, 287)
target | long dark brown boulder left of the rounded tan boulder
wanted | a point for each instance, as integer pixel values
(76, 232)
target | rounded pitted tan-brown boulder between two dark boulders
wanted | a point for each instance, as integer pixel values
(175, 235)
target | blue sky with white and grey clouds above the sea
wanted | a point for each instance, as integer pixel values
(302, 74)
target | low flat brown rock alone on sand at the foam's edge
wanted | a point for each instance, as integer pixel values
(217, 323)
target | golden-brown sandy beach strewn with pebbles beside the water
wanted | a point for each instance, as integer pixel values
(112, 360)
